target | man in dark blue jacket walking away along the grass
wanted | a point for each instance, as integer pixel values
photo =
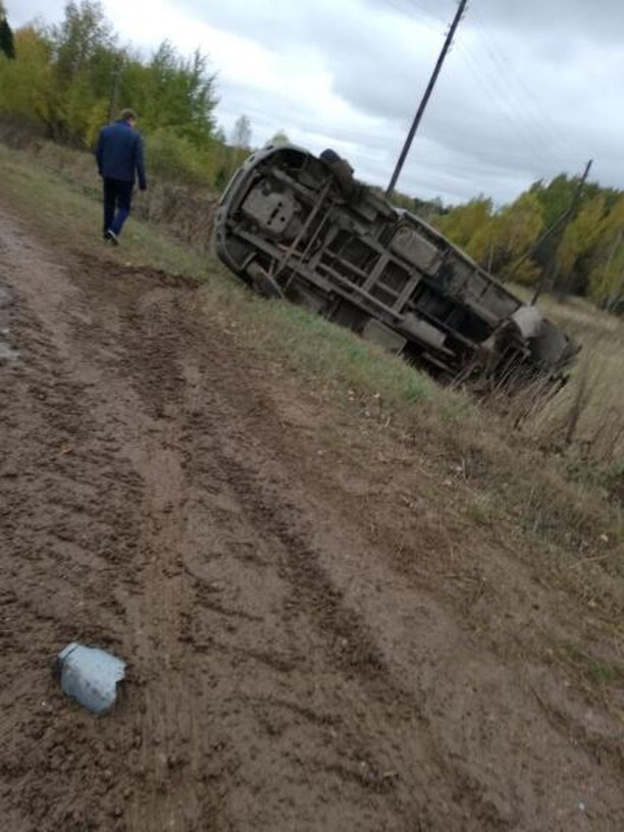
(120, 160)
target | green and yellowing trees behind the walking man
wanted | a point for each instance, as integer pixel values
(70, 79)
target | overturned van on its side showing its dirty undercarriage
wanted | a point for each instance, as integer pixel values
(301, 227)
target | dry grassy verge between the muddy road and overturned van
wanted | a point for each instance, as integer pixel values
(545, 479)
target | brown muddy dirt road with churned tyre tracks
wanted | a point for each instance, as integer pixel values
(315, 641)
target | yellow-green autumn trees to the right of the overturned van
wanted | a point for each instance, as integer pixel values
(547, 238)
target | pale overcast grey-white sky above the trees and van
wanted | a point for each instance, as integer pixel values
(530, 88)
